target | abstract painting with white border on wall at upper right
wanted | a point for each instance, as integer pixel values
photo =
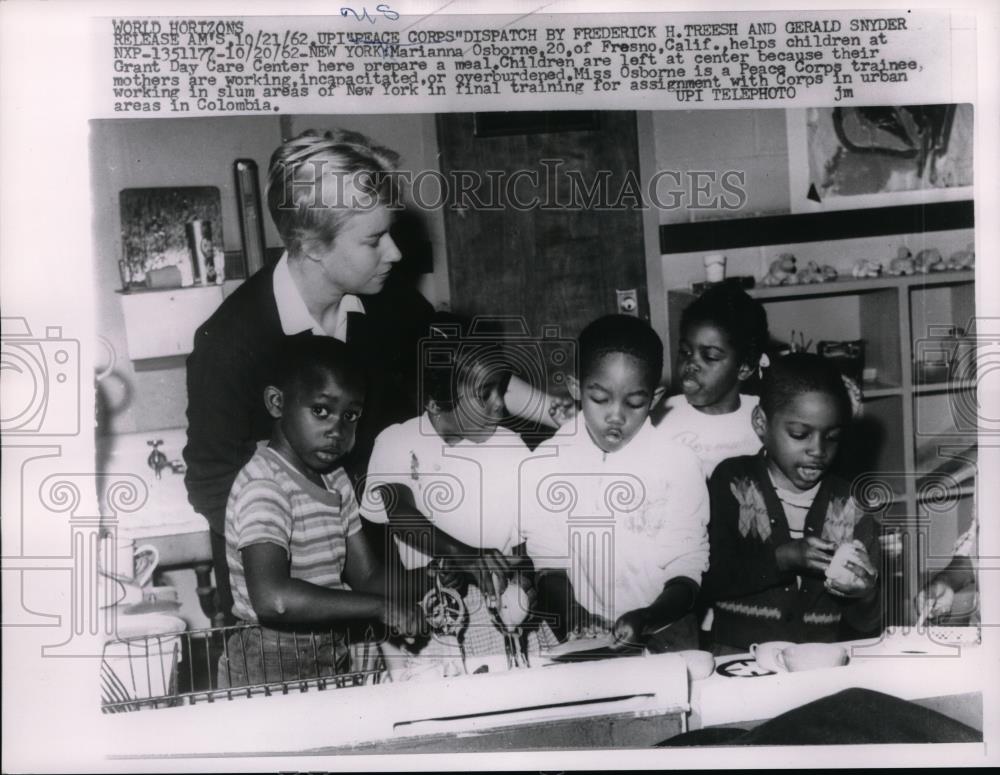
(860, 157)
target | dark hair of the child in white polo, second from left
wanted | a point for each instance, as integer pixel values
(450, 352)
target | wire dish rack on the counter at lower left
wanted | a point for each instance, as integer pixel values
(163, 671)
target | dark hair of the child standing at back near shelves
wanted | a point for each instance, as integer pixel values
(732, 311)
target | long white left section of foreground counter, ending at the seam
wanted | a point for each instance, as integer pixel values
(616, 703)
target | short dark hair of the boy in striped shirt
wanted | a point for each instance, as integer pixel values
(306, 360)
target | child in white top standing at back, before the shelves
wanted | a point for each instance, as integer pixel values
(723, 336)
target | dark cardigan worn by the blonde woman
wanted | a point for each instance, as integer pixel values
(235, 354)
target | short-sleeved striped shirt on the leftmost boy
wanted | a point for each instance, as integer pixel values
(271, 502)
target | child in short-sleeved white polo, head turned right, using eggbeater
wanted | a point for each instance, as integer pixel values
(445, 482)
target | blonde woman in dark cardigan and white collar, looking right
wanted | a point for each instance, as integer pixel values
(332, 198)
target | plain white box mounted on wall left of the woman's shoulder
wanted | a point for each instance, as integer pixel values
(161, 324)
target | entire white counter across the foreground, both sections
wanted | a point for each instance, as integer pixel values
(631, 702)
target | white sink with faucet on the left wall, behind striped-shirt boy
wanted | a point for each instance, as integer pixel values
(164, 518)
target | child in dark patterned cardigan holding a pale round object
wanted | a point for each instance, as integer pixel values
(794, 557)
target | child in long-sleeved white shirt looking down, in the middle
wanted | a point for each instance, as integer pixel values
(614, 513)
